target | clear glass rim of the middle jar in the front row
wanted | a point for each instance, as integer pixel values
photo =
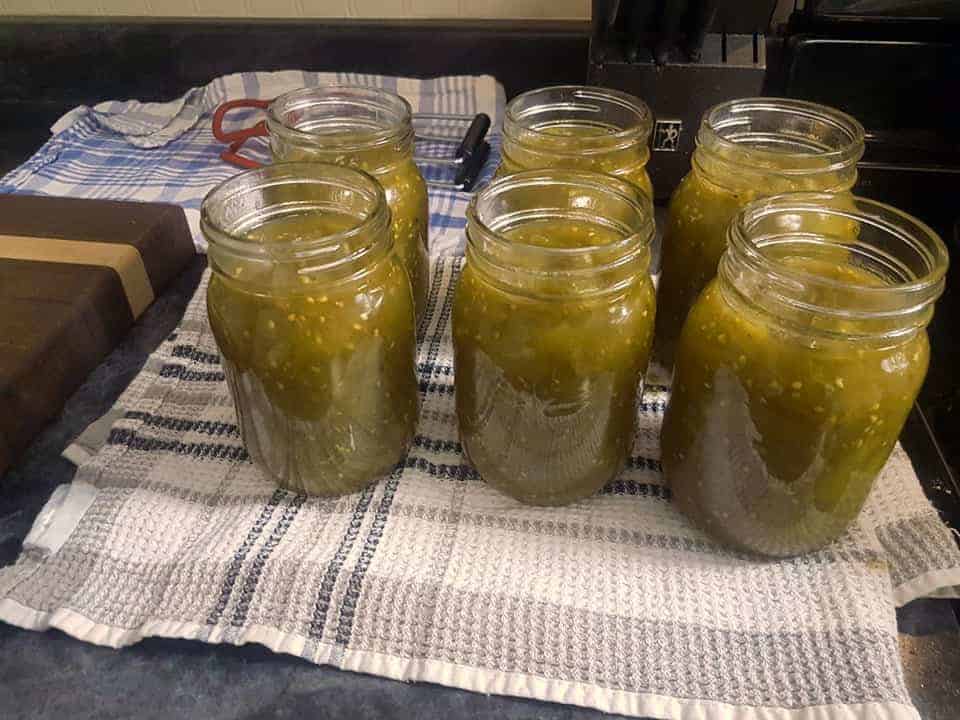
(625, 191)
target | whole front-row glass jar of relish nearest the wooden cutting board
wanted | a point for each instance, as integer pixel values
(313, 314)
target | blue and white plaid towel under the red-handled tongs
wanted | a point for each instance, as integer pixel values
(165, 152)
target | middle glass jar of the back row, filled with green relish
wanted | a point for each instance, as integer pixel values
(578, 128)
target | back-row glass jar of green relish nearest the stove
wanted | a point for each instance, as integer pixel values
(746, 149)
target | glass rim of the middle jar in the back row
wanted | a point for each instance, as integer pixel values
(640, 131)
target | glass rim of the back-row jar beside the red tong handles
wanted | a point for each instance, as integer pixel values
(401, 127)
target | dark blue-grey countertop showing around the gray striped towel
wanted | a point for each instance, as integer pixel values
(50, 675)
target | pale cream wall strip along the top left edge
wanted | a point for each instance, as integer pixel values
(372, 9)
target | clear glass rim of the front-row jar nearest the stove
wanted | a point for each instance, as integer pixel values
(918, 293)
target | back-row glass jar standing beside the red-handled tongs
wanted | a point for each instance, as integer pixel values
(369, 129)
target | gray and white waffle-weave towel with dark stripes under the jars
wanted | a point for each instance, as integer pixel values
(615, 603)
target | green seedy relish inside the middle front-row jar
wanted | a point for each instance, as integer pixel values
(547, 388)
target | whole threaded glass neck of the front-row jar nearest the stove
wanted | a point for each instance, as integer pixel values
(835, 265)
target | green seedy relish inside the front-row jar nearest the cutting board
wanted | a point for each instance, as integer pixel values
(322, 373)
